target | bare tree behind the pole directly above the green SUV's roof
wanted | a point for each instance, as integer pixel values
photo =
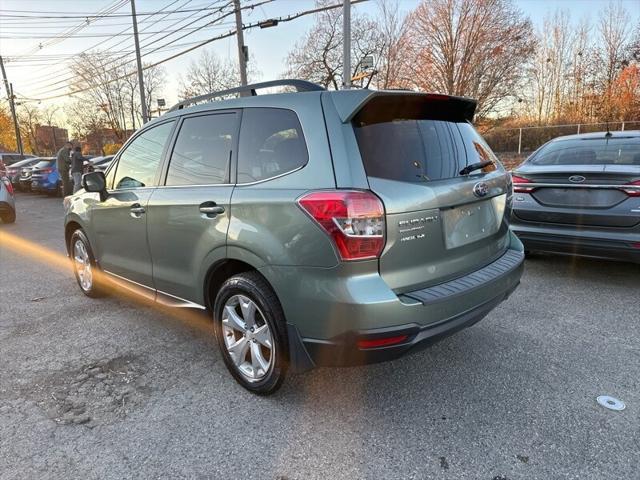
(317, 57)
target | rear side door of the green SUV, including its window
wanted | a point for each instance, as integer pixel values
(188, 216)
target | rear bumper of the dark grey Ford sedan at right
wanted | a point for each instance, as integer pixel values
(598, 243)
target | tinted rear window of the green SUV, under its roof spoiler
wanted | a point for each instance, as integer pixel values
(402, 140)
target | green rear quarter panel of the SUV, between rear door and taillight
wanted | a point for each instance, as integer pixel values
(267, 226)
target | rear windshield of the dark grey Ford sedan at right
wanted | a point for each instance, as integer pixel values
(590, 151)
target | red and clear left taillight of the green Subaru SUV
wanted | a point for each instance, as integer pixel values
(353, 219)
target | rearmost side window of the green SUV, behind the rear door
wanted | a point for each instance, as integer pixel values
(271, 143)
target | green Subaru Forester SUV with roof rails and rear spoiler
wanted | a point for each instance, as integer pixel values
(317, 227)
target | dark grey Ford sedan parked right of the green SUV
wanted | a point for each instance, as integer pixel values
(580, 195)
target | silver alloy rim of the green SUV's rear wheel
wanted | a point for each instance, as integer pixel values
(247, 338)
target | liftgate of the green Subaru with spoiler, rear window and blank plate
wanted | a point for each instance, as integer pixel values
(441, 223)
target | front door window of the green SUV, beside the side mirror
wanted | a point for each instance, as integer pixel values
(138, 164)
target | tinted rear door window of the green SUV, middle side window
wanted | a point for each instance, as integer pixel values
(203, 150)
